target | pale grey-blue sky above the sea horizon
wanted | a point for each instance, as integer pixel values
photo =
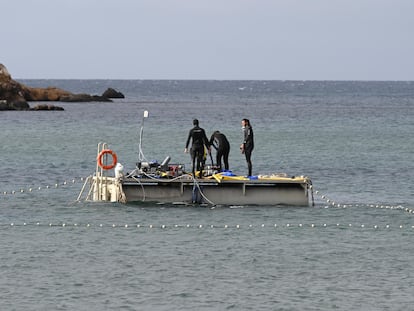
(208, 39)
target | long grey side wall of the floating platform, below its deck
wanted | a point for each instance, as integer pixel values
(253, 192)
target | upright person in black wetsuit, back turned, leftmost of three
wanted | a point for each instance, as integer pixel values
(199, 140)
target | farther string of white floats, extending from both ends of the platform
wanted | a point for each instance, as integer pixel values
(330, 203)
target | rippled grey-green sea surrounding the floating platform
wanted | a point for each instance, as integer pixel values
(354, 139)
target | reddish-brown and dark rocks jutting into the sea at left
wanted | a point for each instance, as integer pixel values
(15, 95)
